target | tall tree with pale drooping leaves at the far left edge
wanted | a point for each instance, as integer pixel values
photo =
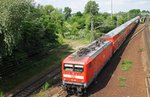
(11, 18)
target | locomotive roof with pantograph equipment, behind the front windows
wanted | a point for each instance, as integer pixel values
(86, 54)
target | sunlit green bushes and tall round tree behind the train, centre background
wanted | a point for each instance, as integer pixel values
(79, 24)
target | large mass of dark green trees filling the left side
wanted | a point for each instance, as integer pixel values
(26, 31)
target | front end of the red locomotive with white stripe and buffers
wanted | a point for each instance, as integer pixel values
(73, 76)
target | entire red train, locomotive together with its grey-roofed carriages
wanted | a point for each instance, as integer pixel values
(80, 68)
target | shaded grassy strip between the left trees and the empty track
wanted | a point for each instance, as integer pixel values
(43, 63)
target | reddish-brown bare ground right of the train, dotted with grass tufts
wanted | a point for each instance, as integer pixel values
(133, 79)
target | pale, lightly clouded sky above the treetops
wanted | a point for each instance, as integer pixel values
(104, 5)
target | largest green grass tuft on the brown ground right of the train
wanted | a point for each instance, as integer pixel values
(126, 65)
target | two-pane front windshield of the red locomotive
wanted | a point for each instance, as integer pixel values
(71, 67)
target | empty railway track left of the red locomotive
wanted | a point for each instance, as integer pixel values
(36, 85)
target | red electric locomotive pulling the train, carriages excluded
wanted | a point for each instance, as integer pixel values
(80, 68)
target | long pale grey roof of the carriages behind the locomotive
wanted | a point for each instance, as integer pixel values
(120, 28)
